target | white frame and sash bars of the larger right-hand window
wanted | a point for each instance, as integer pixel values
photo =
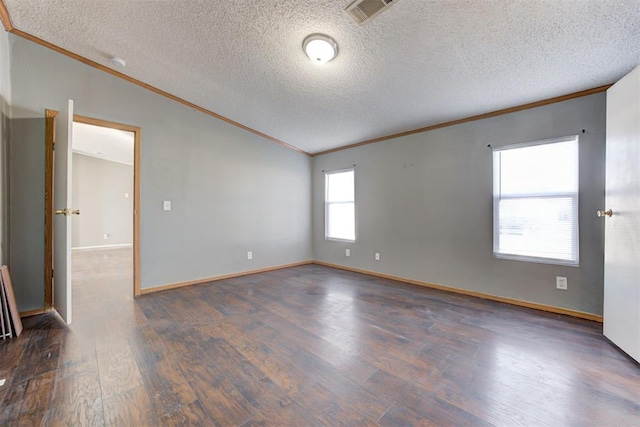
(497, 197)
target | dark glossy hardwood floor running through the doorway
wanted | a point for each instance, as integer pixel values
(307, 346)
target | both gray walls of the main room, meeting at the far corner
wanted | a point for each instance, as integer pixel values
(423, 201)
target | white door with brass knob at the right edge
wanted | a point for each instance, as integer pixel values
(622, 230)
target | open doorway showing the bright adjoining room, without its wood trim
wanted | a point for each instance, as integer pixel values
(102, 236)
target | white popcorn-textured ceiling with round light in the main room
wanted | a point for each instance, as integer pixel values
(416, 64)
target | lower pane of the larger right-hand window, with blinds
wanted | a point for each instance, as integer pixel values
(538, 227)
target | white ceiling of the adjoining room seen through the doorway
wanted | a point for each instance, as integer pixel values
(103, 143)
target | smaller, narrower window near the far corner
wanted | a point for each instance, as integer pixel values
(340, 211)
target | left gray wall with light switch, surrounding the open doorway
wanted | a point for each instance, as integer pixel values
(232, 191)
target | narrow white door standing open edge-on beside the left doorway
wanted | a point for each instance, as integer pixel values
(63, 209)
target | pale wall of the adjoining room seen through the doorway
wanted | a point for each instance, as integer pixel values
(99, 188)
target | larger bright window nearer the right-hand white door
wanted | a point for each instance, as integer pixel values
(535, 201)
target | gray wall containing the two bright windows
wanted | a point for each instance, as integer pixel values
(424, 202)
